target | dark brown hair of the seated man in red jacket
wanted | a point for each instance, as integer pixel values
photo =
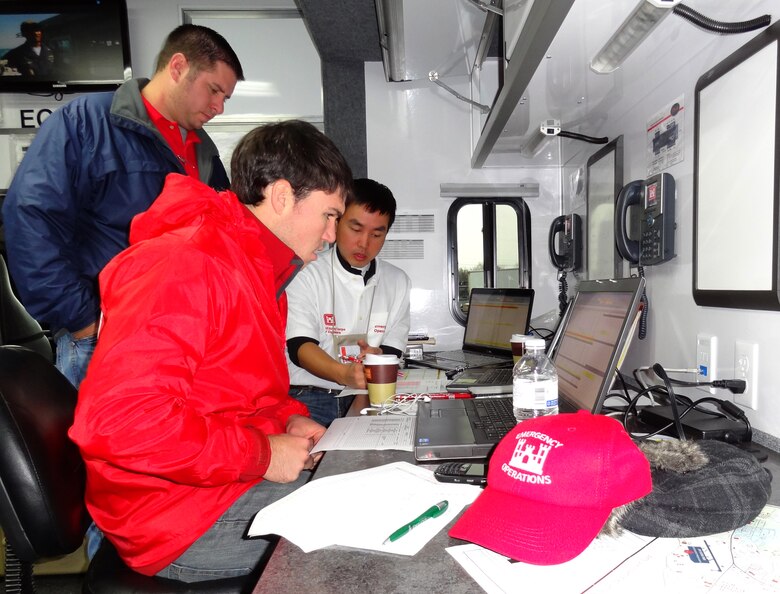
(293, 150)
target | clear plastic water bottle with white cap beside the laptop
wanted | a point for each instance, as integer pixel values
(534, 383)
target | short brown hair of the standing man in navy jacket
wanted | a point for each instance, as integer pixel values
(203, 48)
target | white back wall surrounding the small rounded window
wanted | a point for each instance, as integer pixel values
(419, 137)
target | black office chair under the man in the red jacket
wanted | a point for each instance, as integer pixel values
(42, 480)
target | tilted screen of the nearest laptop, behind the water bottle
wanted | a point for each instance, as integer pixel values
(592, 339)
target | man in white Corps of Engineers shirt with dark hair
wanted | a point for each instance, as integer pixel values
(345, 304)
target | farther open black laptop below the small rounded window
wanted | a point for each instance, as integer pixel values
(494, 315)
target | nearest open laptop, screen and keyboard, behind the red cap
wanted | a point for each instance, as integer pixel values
(589, 344)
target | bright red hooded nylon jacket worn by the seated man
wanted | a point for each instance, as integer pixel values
(189, 375)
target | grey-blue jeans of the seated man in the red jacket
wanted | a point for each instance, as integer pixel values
(224, 551)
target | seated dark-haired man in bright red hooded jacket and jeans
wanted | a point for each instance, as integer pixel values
(184, 420)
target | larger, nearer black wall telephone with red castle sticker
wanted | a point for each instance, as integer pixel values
(655, 199)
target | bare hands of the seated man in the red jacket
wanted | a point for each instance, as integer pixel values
(290, 452)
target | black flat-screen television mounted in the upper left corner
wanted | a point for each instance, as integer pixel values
(63, 46)
